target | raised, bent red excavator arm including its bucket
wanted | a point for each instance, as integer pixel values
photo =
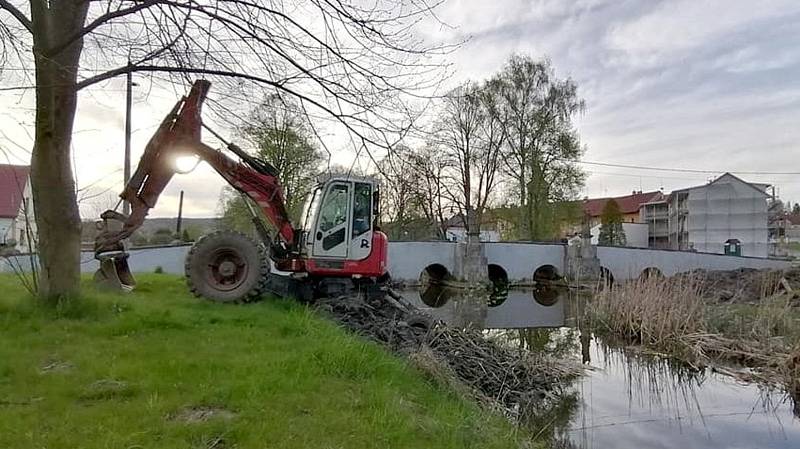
(180, 135)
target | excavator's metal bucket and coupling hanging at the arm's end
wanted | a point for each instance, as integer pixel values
(114, 273)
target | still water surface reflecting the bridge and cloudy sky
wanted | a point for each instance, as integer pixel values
(625, 399)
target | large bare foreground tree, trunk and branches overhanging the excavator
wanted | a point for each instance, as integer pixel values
(342, 59)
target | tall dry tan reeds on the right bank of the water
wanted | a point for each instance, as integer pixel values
(677, 317)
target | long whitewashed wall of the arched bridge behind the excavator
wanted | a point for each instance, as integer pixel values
(516, 261)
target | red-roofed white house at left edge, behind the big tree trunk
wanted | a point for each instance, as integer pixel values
(15, 206)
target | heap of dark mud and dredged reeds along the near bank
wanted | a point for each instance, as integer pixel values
(516, 380)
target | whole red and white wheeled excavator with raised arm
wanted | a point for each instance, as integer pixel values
(336, 248)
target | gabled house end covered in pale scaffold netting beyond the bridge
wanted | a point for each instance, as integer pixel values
(725, 216)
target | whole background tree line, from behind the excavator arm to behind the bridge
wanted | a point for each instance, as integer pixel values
(506, 146)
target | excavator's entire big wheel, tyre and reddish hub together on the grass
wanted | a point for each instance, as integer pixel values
(227, 266)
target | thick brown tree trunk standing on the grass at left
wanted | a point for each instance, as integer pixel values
(55, 200)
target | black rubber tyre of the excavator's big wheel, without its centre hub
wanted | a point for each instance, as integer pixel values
(254, 276)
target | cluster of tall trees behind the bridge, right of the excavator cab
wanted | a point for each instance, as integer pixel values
(506, 144)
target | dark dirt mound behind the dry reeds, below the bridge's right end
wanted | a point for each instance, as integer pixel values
(745, 285)
